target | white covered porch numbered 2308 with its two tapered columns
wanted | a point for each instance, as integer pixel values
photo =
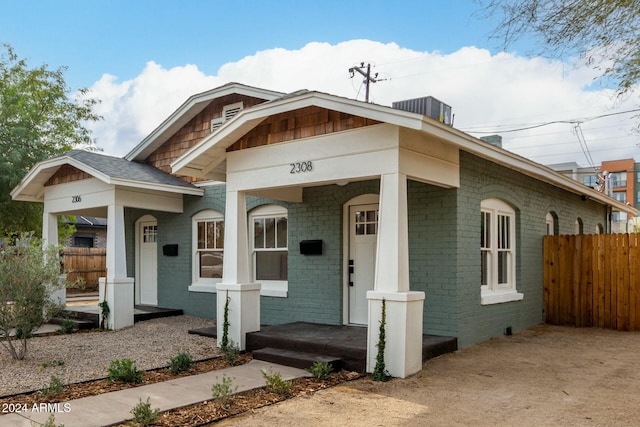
(247, 154)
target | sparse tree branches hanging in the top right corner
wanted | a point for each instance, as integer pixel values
(605, 33)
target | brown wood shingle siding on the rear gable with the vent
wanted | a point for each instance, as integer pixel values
(194, 131)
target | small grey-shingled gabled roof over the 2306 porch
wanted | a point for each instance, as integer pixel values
(111, 170)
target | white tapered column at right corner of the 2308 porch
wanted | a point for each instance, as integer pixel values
(404, 308)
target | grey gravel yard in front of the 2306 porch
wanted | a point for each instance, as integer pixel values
(86, 355)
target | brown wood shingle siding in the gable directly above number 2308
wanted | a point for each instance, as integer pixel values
(302, 123)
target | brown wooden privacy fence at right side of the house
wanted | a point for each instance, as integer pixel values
(593, 280)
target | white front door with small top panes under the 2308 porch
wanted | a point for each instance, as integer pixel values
(363, 230)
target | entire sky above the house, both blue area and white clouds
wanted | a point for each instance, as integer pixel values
(142, 59)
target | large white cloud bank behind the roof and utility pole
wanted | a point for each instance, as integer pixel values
(487, 92)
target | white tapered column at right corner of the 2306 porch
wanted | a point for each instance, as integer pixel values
(117, 288)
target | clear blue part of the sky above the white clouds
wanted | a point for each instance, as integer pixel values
(119, 37)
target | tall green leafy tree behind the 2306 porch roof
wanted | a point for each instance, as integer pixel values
(38, 120)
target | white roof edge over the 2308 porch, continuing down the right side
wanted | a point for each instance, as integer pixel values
(207, 159)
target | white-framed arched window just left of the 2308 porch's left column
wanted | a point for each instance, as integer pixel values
(207, 239)
